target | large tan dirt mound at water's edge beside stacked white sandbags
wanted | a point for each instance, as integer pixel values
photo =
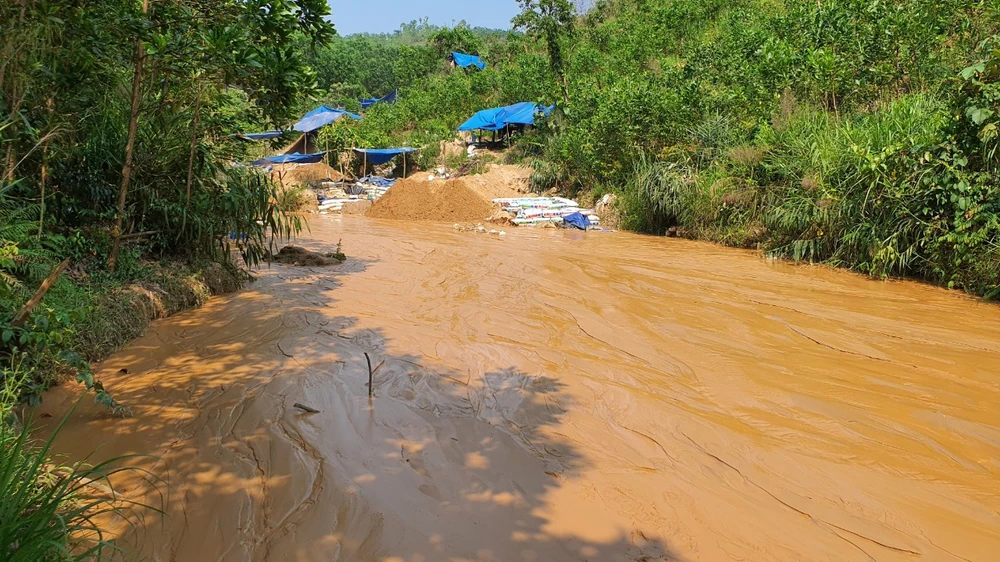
(451, 201)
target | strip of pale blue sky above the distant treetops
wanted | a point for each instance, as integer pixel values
(379, 16)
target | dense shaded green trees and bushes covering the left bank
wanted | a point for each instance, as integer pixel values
(208, 70)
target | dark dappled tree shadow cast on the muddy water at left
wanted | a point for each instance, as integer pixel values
(438, 465)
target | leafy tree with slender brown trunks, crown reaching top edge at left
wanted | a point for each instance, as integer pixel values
(214, 44)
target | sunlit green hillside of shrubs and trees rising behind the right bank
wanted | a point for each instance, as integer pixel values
(862, 133)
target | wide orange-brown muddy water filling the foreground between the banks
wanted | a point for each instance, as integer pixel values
(556, 396)
